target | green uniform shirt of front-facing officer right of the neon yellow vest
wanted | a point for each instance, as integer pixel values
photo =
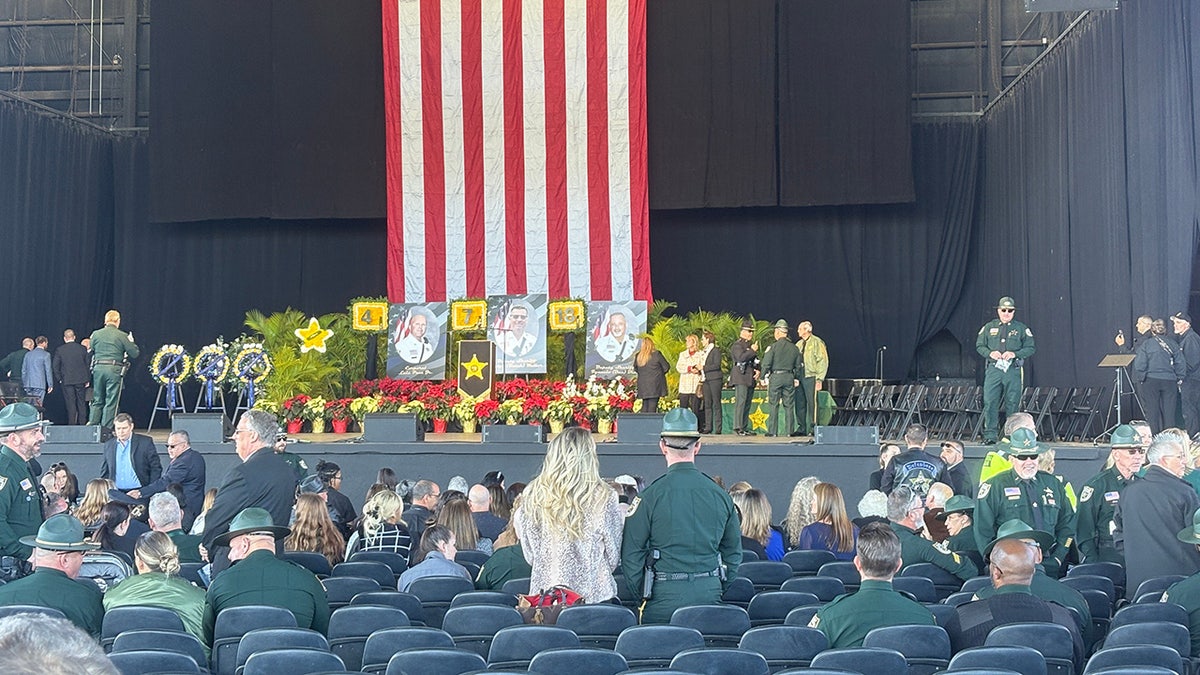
(1006, 497)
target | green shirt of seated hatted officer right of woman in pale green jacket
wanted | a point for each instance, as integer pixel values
(261, 578)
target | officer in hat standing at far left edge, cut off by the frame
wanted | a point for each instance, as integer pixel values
(21, 503)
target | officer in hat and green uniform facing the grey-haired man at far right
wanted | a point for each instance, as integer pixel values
(1102, 493)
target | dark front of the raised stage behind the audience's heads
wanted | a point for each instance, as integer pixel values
(773, 465)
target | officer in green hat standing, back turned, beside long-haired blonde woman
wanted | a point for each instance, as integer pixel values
(683, 540)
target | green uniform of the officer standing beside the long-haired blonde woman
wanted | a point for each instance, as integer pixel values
(693, 524)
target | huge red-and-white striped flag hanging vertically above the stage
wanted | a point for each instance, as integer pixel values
(517, 150)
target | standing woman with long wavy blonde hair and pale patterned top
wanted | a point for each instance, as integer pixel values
(571, 522)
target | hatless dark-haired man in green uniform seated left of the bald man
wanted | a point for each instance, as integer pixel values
(848, 619)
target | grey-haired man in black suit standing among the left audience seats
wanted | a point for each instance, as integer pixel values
(262, 480)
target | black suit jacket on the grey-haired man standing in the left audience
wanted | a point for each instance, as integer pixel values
(263, 481)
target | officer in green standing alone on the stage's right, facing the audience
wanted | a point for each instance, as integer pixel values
(1005, 344)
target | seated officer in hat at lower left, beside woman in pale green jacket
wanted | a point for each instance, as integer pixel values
(58, 554)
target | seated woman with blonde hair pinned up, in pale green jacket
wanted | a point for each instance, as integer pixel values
(158, 584)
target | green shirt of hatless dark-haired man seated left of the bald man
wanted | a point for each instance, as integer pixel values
(848, 619)
